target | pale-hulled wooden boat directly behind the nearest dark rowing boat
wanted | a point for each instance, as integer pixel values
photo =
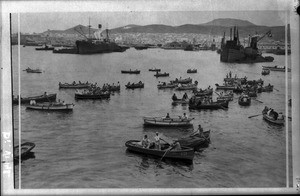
(167, 122)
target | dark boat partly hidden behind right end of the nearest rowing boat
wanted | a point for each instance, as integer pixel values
(196, 141)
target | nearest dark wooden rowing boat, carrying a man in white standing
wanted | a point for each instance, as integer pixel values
(184, 153)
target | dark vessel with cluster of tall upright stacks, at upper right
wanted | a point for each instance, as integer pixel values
(233, 52)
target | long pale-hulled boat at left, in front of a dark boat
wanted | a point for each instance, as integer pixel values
(57, 106)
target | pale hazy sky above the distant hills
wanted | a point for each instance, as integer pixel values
(40, 22)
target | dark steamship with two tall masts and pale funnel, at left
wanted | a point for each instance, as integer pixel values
(99, 44)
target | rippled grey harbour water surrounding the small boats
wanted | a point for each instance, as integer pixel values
(85, 148)
